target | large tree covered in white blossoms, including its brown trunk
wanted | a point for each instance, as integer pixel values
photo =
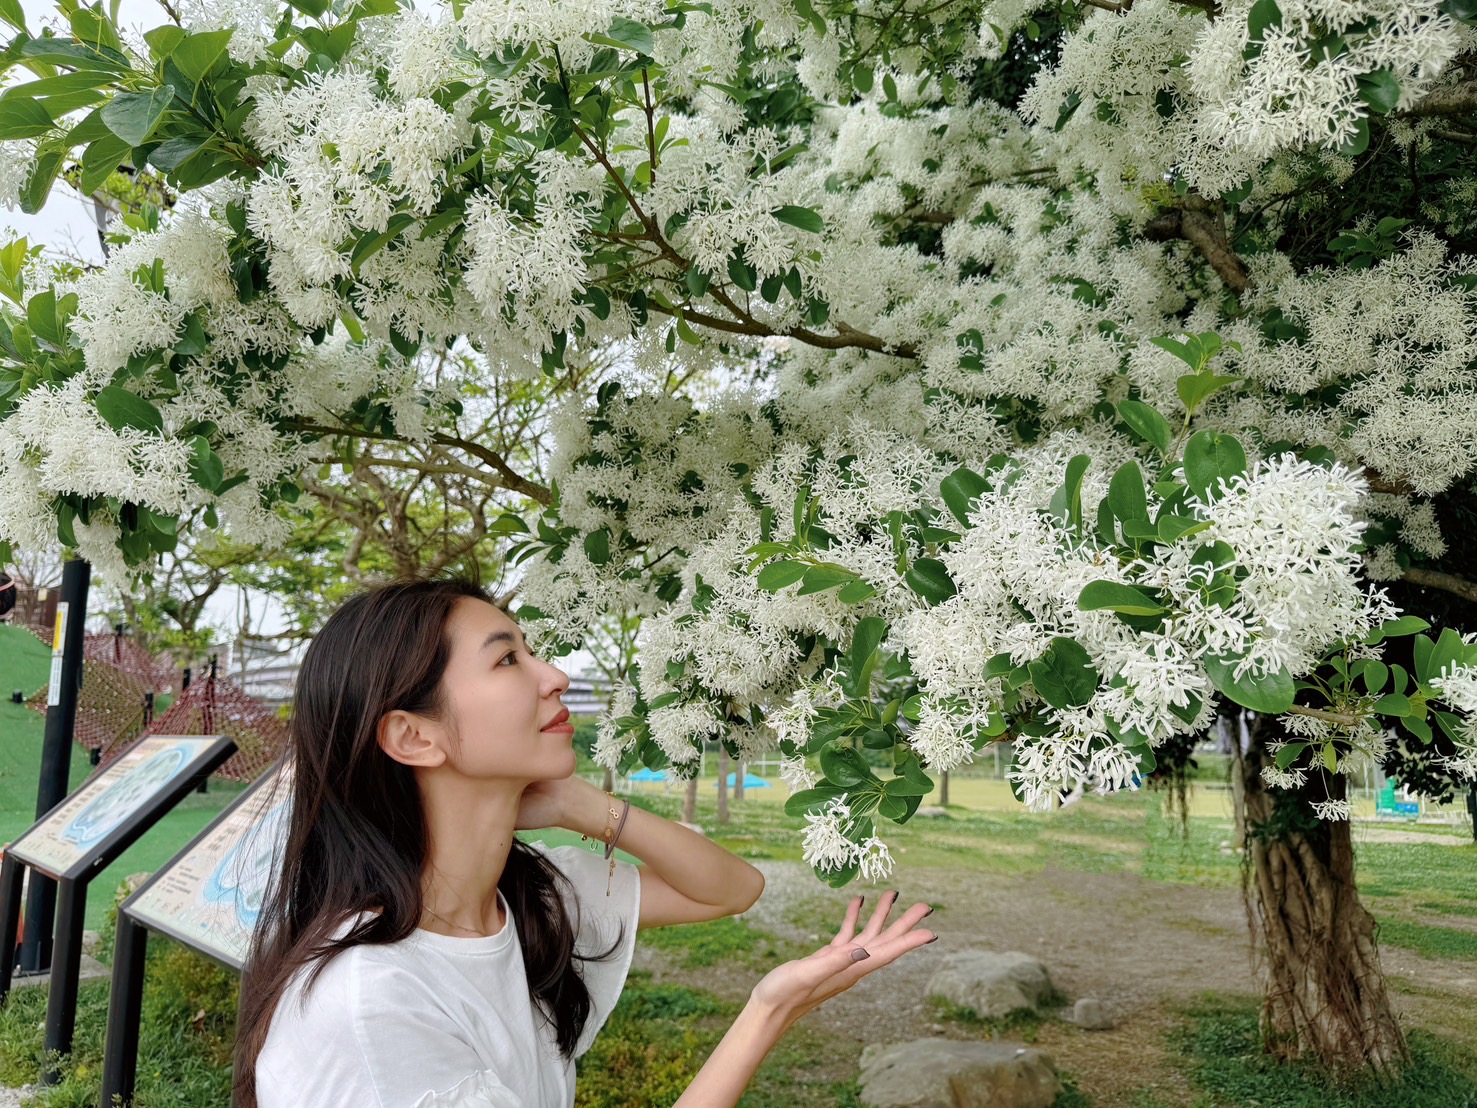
(1083, 367)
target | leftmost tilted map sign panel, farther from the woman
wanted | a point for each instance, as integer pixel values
(107, 810)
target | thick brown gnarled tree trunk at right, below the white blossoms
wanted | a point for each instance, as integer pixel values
(1324, 992)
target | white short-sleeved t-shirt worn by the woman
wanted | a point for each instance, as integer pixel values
(436, 1022)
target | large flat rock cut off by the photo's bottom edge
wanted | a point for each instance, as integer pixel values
(943, 1073)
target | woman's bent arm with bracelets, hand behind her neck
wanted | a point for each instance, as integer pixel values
(685, 880)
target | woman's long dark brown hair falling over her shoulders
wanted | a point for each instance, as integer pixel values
(357, 843)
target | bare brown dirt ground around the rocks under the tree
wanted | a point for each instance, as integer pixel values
(1142, 948)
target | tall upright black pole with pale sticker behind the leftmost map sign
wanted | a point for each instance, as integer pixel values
(57, 756)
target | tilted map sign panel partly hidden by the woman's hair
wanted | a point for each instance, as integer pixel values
(210, 895)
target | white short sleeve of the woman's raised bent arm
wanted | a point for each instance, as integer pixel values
(605, 924)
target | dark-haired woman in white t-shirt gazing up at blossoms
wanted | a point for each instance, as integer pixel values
(414, 954)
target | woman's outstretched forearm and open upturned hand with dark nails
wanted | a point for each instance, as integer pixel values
(792, 991)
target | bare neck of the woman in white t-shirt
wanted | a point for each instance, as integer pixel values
(469, 837)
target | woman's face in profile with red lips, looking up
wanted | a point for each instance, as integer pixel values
(503, 702)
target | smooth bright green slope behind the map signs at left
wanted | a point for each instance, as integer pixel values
(26, 666)
